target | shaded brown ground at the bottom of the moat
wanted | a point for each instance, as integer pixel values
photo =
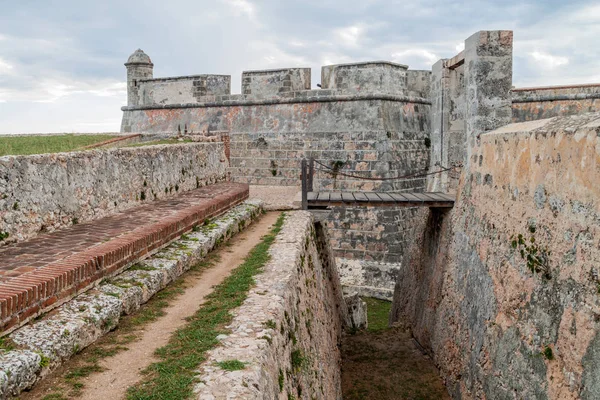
(387, 365)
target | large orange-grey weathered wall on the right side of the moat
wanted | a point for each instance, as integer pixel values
(503, 289)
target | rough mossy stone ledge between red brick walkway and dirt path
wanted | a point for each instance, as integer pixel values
(80, 322)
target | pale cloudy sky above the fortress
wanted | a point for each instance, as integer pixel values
(61, 61)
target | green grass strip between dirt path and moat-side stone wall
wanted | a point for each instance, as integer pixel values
(173, 376)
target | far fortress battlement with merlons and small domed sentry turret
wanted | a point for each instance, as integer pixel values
(381, 80)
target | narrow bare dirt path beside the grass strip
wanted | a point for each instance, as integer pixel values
(123, 370)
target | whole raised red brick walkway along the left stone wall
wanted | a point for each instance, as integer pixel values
(41, 273)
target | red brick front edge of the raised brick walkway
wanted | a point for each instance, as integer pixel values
(52, 284)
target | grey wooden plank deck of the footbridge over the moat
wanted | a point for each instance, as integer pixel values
(377, 199)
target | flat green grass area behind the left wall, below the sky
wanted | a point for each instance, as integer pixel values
(25, 145)
